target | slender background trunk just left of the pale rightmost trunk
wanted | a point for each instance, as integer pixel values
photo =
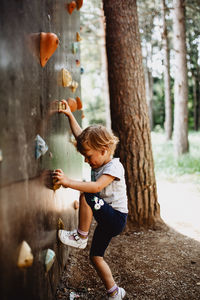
(168, 101)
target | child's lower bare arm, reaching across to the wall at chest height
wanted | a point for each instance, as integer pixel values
(87, 187)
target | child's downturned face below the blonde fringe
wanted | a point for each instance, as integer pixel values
(96, 158)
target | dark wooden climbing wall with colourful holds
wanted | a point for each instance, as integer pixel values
(39, 66)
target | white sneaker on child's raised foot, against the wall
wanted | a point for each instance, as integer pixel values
(71, 238)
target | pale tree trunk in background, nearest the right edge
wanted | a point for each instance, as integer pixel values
(181, 144)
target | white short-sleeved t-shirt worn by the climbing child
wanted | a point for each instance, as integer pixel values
(115, 193)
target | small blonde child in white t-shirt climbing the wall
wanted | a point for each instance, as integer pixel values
(104, 198)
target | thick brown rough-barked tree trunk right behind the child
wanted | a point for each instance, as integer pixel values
(129, 113)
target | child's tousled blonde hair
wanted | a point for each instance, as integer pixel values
(96, 137)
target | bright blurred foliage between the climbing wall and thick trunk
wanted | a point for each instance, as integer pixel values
(92, 81)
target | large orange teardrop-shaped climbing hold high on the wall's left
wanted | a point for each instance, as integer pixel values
(48, 45)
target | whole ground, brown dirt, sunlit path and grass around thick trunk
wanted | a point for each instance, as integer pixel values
(152, 264)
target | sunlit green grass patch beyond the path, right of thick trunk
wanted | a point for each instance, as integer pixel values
(166, 165)
